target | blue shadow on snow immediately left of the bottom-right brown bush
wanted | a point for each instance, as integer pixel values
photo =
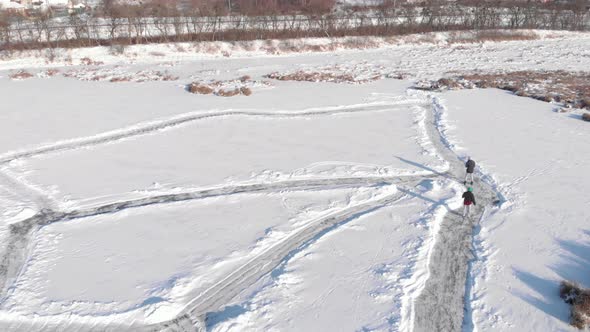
(547, 298)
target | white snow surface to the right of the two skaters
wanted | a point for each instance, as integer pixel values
(539, 160)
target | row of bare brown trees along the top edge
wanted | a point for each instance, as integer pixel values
(153, 21)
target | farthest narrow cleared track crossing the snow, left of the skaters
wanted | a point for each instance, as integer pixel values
(178, 120)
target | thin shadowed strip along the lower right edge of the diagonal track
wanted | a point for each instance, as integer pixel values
(214, 318)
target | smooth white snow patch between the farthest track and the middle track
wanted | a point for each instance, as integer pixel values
(254, 147)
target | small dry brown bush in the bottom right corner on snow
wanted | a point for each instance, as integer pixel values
(579, 299)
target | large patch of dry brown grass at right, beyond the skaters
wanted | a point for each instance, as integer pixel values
(571, 89)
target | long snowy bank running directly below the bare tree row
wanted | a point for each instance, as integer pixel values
(461, 41)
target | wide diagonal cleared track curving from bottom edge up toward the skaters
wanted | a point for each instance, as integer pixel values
(214, 298)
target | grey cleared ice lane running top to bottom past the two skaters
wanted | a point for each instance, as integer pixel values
(440, 303)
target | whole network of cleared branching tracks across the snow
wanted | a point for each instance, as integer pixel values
(434, 296)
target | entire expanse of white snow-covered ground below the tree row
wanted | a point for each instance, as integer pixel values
(305, 206)
